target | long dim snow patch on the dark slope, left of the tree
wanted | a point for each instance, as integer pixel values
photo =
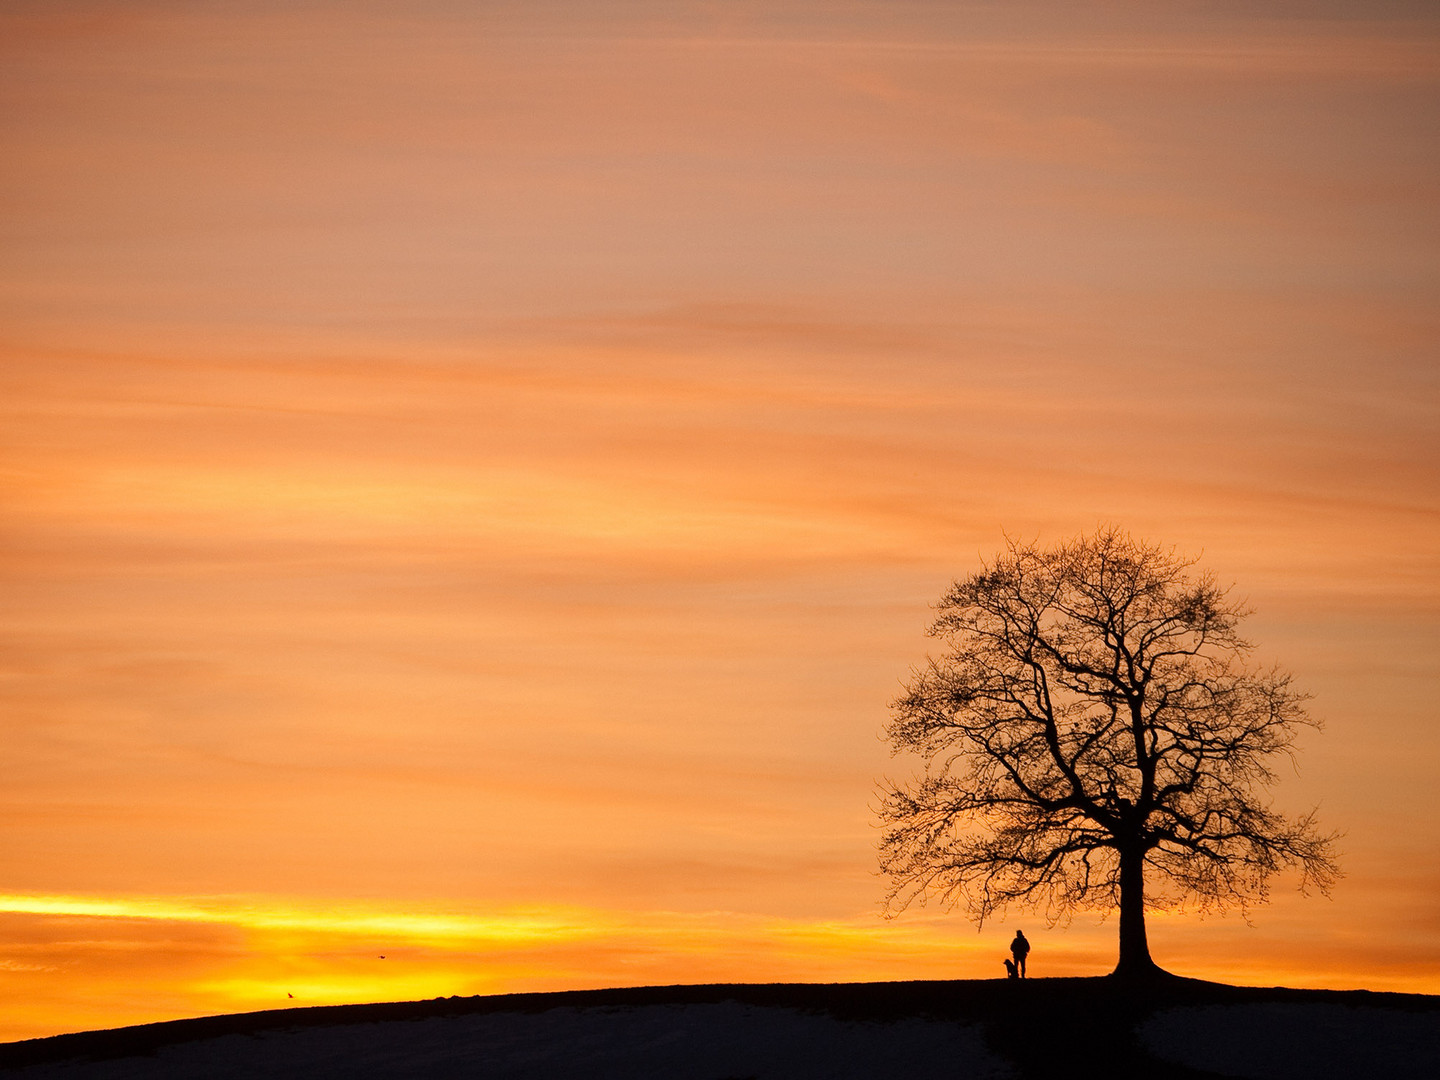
(724, 1042)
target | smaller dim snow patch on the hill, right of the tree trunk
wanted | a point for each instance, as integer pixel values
(1284, 1042)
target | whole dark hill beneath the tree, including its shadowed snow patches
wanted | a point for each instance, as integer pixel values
(1094, 1027)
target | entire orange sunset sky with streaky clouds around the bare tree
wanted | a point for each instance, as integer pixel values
(474, 474)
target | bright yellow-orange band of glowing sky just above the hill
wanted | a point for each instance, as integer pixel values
(158, 958)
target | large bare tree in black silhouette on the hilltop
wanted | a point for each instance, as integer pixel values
(1094, 725)
